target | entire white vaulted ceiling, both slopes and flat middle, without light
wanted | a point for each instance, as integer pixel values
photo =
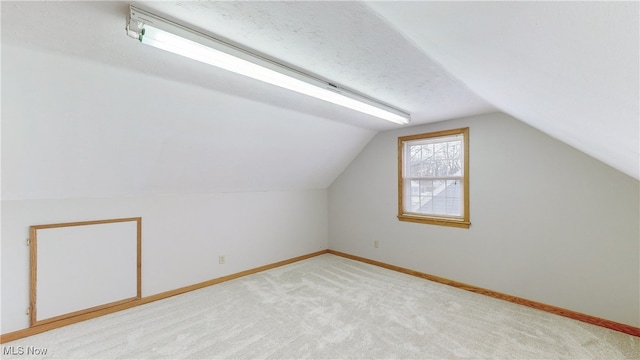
(95, 113)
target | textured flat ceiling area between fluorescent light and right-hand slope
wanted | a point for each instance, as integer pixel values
(344, 42)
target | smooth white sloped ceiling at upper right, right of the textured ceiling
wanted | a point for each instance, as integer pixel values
(569, 69)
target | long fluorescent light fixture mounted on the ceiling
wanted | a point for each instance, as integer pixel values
(167, 35)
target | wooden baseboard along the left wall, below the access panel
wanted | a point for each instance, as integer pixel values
(19, 334)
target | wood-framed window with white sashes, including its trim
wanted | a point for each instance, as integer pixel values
(433, 178)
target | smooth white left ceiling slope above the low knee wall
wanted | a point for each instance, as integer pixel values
(74, 128)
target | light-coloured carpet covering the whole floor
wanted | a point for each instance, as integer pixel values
(328, 307)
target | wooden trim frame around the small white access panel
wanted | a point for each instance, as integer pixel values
(33, 250)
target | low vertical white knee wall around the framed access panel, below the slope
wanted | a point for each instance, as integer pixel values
(182, 236)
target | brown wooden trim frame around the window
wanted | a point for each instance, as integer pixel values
(461, 222)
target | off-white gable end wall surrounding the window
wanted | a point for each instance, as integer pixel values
(548, 223)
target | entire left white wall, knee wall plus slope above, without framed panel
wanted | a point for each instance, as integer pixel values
(82, 141)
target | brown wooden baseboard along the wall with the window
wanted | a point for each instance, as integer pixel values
(624, 328)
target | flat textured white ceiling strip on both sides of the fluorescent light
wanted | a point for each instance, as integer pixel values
(345, 42)
